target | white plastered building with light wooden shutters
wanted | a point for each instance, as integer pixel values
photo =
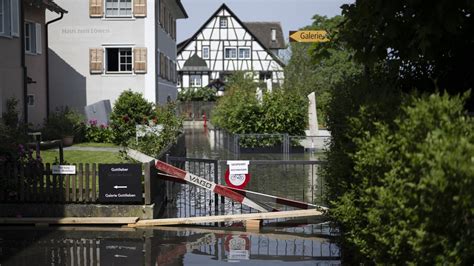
(104, 47)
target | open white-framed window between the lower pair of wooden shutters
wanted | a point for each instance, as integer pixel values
(118, 60)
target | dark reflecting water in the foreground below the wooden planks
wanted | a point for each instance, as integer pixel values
(163, 246)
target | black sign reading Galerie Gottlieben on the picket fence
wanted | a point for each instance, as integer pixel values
(120, 183)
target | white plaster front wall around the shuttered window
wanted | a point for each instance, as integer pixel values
(69, 42)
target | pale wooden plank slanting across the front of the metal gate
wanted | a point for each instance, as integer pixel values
(228, 218)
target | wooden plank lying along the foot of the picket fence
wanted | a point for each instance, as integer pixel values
(70, 220)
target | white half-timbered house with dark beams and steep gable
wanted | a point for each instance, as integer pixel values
(224, 44)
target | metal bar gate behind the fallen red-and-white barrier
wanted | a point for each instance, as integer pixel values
(297, 180)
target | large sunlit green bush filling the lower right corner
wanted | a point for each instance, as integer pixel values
(410, 195)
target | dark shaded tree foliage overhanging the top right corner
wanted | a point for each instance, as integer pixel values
(427, 43)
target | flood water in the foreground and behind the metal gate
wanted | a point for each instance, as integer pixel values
(300, 242)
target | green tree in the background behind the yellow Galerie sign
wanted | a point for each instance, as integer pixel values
(319, 67)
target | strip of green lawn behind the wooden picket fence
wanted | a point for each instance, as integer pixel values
(49, 156)
